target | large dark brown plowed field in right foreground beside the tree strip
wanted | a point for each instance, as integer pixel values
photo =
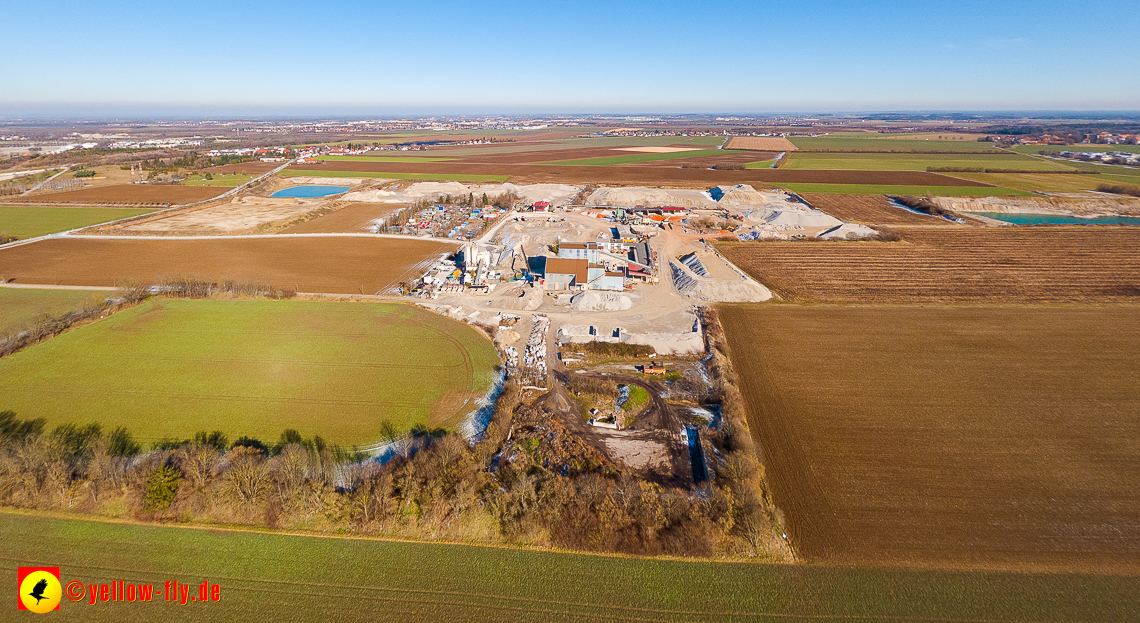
(983, 438)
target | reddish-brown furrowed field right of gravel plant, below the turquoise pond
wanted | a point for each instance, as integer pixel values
(954, 264)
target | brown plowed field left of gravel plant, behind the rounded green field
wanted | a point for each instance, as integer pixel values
(331, 265)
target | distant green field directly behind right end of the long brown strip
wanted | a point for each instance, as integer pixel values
(915, 163)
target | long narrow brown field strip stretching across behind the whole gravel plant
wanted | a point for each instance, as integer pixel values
(659, 176)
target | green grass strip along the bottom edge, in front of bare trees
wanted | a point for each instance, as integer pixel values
(275, 577)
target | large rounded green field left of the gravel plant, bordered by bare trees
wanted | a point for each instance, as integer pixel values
(172, 368)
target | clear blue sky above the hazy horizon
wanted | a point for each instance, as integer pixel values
(352, 56)
